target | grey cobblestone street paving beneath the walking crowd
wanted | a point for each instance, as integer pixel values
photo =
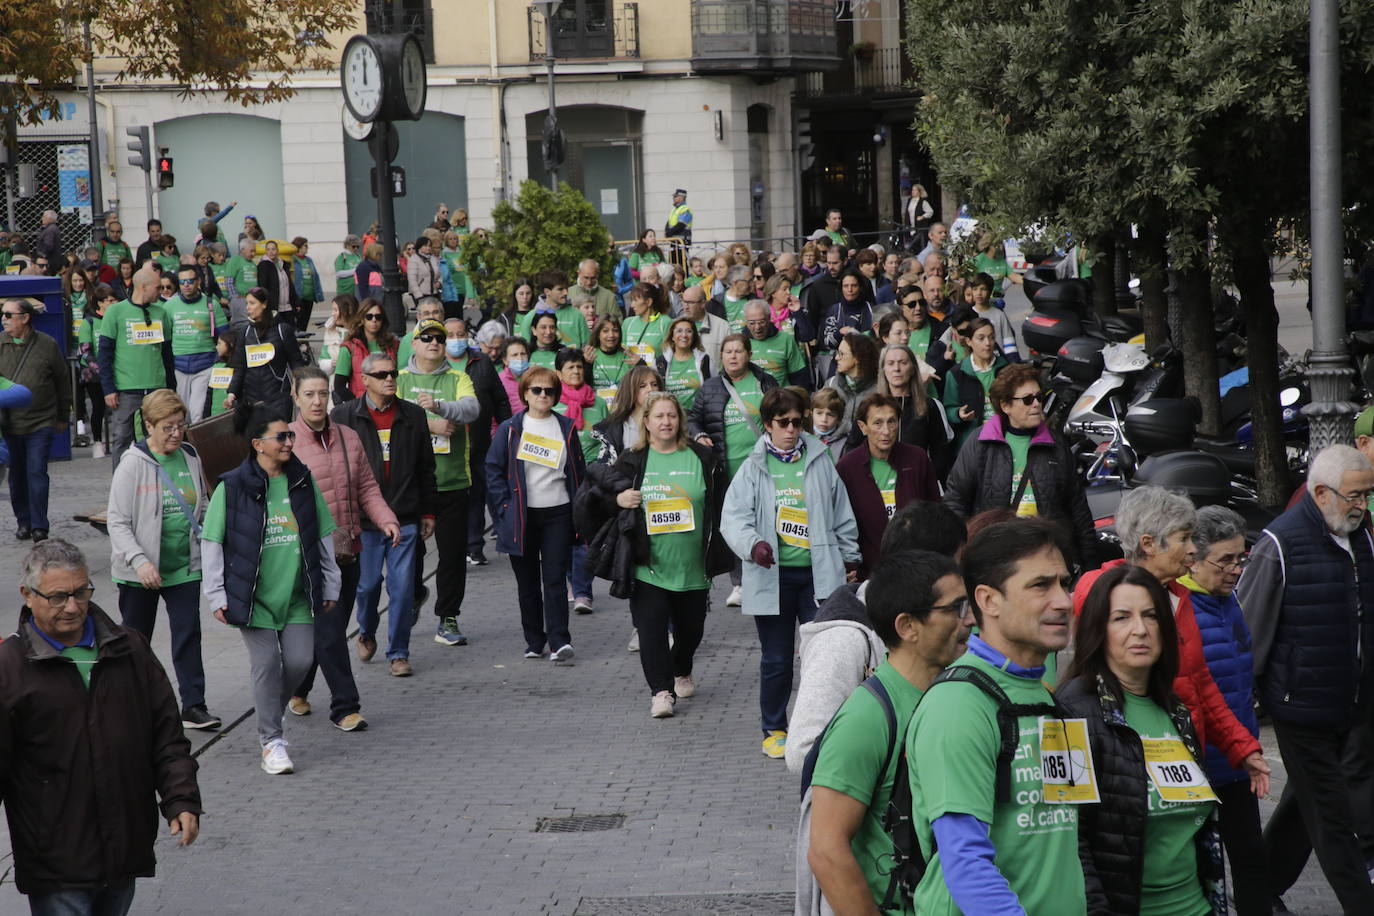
(433, 810)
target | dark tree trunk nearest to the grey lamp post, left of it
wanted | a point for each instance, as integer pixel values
(1251, 264)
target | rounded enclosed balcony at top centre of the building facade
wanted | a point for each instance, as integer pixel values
(763, 36)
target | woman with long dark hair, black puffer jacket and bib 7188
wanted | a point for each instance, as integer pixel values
(1149, 843)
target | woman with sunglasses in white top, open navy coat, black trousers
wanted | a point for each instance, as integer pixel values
(534, 470)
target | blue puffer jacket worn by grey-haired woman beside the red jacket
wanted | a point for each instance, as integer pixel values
(1230, 657)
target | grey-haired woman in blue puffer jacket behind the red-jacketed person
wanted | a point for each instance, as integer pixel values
(1219, 536)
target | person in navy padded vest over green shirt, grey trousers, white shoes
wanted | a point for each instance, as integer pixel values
(270, 525)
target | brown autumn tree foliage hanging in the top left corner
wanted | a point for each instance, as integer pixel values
(245, 51)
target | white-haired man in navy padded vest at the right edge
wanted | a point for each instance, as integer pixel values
(1309, 597)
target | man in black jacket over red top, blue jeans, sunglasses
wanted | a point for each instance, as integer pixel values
(396, 439)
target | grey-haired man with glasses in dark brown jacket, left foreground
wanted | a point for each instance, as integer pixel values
(82, 757)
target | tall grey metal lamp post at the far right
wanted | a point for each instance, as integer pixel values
(1331, 411)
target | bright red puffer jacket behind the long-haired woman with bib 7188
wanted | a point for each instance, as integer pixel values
(1213, 719)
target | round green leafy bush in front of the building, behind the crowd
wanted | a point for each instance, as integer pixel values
(538, 231)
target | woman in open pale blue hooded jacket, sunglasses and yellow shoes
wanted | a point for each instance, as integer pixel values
(788, 518)
